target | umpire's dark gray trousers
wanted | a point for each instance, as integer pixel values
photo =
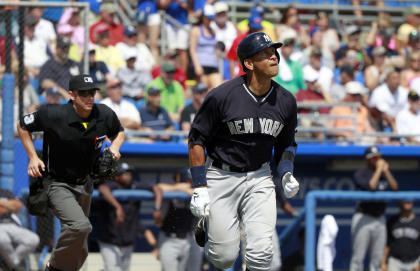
(70, 203)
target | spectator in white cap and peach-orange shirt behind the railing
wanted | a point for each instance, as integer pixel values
(355, 91)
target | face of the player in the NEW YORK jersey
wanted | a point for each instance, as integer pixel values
(266, 61)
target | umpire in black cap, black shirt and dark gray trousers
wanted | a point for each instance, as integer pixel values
(73, 137)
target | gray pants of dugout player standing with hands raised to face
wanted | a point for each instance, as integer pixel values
(368, 233)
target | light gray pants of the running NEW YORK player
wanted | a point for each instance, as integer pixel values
(240, 197)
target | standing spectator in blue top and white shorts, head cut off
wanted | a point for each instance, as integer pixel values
(178, 36)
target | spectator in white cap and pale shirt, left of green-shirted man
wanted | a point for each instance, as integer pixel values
(133, 79)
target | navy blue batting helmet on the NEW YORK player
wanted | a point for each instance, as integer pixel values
(254, 43)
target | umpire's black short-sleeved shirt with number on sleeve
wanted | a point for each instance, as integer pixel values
(71, 143)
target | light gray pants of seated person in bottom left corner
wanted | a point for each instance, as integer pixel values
(16, 243)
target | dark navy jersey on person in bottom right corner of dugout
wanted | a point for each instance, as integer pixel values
(404, 238)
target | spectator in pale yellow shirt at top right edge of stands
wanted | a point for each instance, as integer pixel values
(412, 22)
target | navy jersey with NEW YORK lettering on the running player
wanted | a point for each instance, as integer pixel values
(240, 128)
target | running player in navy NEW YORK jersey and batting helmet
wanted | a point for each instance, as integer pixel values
(239, 124)
